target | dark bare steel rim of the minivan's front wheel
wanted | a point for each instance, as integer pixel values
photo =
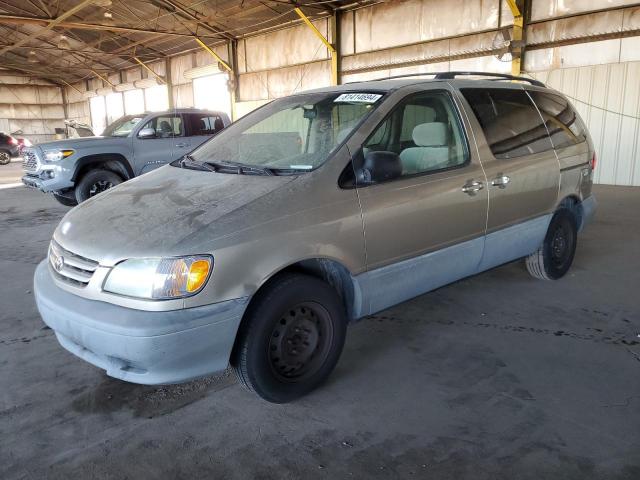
(300, 342)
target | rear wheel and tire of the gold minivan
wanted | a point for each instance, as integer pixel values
(554, 258)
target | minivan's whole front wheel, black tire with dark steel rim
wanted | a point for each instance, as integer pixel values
(290, 339)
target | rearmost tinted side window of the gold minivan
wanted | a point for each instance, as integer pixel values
(564, 125)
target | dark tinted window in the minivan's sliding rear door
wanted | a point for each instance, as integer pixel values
(511, 124)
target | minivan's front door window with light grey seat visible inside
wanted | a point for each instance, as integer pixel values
(425, 131)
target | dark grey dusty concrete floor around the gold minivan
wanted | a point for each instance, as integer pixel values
(496, 376)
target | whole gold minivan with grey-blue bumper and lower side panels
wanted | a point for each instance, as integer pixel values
(258, 248)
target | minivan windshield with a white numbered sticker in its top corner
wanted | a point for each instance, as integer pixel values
(297, 133)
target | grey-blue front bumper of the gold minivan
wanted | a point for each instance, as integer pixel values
(140, 346)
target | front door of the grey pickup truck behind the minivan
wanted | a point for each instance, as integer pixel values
(168, 144)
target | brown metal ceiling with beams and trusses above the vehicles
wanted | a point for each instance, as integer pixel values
(69, 40)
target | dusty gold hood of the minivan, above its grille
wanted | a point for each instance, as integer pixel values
(163, 213)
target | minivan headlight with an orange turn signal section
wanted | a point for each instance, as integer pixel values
(159, 278)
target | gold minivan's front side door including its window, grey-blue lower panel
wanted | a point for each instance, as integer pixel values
(425, 227)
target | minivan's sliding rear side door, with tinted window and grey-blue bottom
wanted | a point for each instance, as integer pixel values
(522, 170)
